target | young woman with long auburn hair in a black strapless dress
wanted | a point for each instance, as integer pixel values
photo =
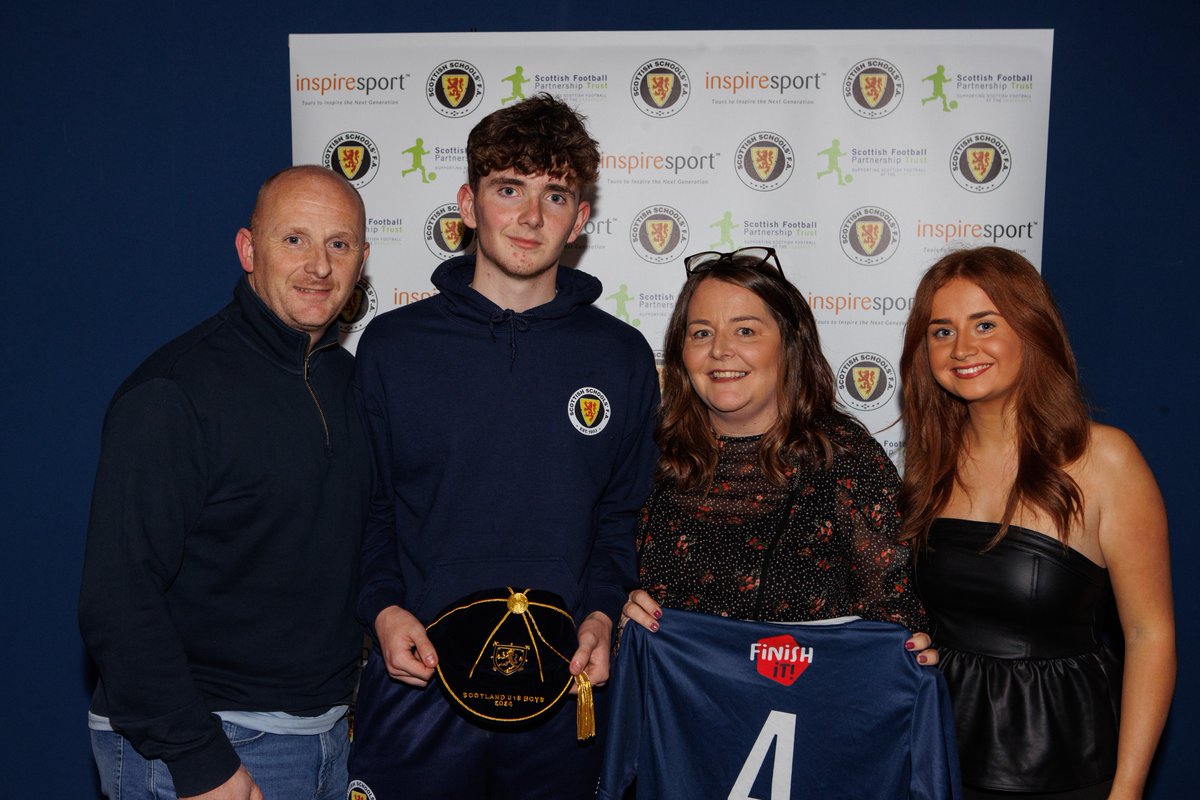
(1029, 519)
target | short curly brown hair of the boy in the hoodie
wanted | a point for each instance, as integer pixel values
(538, 136)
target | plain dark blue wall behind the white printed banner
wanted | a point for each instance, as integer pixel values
(136, 135)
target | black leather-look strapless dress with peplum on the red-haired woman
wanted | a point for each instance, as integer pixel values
(1019, 633)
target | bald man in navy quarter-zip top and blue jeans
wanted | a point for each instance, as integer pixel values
(219, 586)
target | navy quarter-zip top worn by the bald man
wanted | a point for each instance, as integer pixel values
(223, 552)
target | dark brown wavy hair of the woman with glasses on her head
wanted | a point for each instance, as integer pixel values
(807, 390)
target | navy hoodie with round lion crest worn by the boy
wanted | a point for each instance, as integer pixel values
(512, 449)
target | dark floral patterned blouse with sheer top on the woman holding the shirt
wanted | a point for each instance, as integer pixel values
(729, 551)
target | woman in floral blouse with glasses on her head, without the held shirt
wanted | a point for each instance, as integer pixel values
(770, 503)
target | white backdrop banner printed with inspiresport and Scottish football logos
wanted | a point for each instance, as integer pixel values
(860, 157)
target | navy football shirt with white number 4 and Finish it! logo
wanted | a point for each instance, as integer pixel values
(710, 707)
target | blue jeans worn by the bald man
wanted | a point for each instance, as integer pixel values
(284, 767)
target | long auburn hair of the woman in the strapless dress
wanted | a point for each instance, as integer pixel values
(1052, 418)
